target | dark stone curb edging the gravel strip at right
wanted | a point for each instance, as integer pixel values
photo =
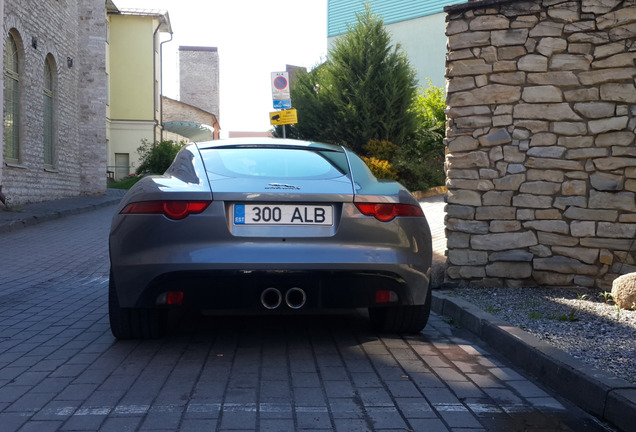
(599, 393)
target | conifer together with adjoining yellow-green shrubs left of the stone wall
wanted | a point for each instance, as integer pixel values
(365, 98)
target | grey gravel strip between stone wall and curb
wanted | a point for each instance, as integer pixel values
(579, 322)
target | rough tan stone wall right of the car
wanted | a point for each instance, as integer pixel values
(541, 159)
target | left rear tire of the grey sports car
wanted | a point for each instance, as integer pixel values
(133, 323)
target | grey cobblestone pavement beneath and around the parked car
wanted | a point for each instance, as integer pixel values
(61, 370)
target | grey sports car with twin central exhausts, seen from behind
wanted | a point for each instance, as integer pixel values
(268, 225)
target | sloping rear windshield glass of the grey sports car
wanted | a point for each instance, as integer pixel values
(275, 162)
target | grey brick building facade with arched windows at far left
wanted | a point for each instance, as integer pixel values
(58, 96)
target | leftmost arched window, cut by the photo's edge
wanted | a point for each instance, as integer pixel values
(11, 101)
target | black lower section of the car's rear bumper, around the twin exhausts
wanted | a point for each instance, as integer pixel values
(243, 289)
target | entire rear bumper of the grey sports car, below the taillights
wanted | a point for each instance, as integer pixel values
(206, 262)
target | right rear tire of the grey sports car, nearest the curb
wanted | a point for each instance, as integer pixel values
(401, 319)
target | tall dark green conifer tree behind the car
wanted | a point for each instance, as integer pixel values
(364, 91)
